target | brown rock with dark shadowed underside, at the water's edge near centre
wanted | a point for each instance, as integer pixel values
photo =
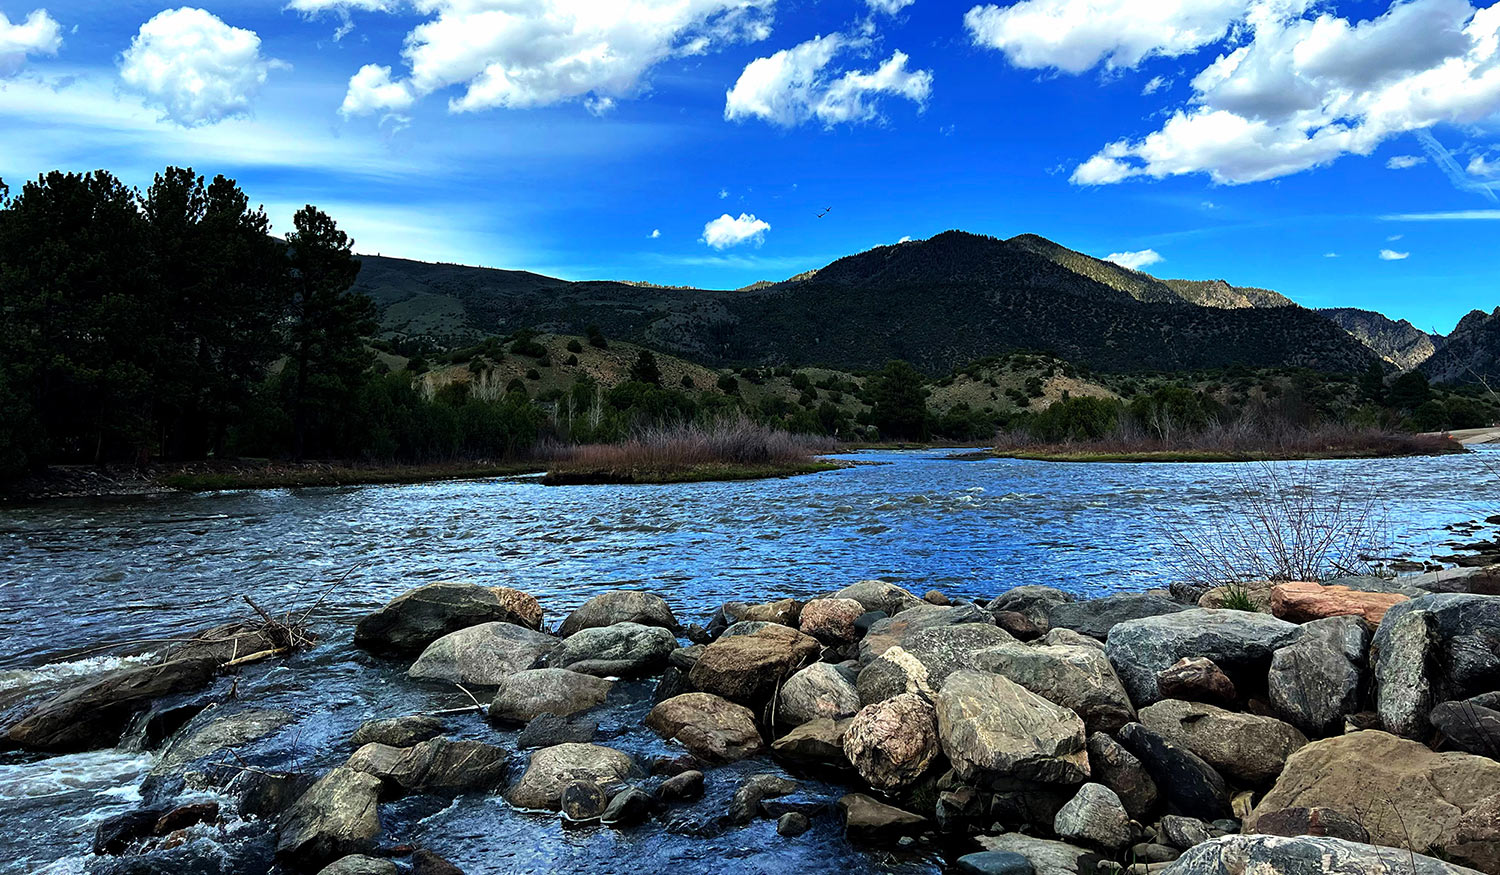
(748, 669)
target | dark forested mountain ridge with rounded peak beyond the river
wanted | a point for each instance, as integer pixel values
(938, 304)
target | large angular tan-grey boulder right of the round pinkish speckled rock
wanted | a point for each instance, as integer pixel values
(992, 727)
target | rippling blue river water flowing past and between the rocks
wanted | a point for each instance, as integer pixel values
(80, 574)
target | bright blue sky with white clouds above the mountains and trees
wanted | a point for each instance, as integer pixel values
(1343, 154)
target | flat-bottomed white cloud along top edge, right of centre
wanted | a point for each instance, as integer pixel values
(1078, 35)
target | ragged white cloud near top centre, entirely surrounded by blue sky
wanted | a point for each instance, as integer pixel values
(796, 86)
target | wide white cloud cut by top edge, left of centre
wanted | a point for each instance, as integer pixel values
(512, 55)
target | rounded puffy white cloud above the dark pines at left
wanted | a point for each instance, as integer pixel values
(194, 67)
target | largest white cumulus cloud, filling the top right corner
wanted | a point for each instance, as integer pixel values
(1306, 91)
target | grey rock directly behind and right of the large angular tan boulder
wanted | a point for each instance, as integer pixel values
(1075, 678)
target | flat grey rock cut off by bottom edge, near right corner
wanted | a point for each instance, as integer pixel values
(1304, 856)
